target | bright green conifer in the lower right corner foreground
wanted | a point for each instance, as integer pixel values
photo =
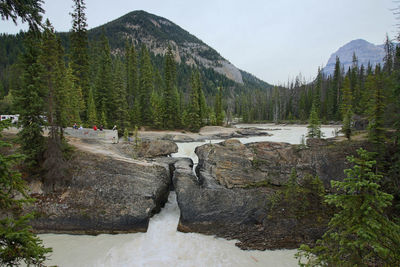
(360, 234)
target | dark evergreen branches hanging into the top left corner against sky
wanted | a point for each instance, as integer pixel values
(29, 11)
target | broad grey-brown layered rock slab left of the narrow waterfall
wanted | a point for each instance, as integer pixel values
(105, 195)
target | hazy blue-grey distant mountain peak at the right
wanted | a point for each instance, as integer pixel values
(365, 52)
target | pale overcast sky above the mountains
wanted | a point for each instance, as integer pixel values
(274, 40)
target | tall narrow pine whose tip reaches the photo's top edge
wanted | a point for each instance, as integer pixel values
(79, 58)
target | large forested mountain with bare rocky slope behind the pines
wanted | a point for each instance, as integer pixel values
(156, 33)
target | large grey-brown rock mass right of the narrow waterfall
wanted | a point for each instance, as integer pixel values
(231, 195)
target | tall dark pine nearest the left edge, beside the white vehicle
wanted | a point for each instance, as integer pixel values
(30, 102)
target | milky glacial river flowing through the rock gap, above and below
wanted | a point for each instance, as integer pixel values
(162, 244)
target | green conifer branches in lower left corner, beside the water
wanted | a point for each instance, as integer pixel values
(17, 242)
